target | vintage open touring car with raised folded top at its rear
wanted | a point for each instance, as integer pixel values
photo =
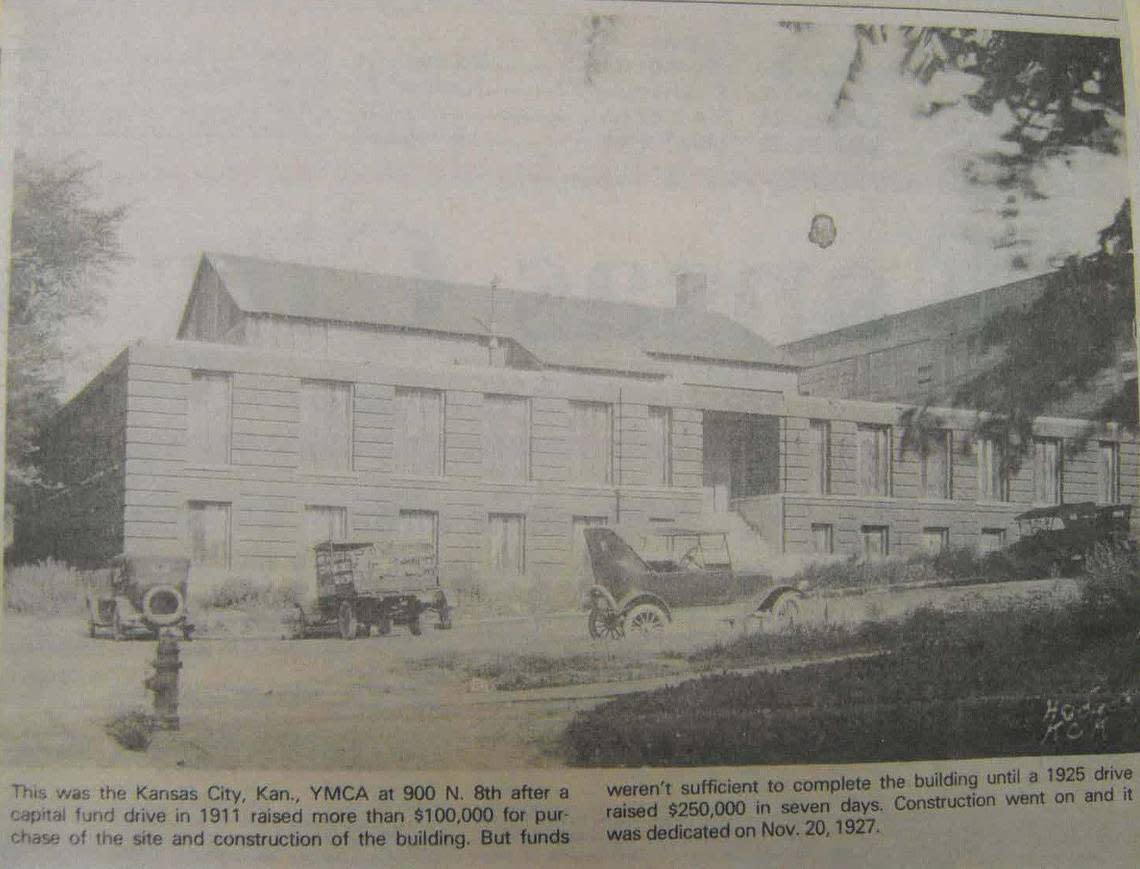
(689, 568)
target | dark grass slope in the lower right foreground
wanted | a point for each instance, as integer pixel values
(987, 684)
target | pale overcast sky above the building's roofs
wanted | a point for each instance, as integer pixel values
(463, 142)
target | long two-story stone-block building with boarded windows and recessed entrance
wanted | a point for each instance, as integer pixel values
(258, 435)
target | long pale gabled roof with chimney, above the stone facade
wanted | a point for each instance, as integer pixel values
(557, 330)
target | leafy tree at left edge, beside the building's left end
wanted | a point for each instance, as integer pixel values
(63, 251)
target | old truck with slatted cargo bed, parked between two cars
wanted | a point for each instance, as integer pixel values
(361, 586)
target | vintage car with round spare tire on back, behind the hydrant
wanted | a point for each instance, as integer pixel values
(140, 595)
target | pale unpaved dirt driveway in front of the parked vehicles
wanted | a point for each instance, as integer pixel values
(384, 703)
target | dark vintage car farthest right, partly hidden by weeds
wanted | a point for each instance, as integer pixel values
(1057, 540)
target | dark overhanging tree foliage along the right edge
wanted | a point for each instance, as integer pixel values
(1063, 94)
